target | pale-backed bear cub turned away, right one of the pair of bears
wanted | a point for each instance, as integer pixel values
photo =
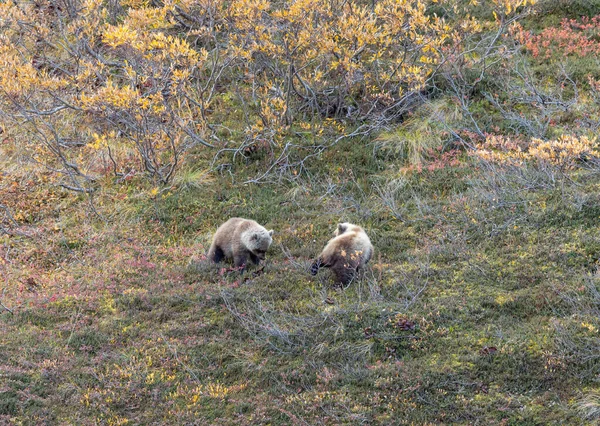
(346, 253)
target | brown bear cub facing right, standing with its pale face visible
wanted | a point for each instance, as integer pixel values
(240, 239)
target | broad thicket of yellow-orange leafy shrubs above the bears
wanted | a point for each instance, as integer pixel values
(146, 80)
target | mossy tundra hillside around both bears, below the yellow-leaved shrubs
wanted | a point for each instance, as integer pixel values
(481, 304)
